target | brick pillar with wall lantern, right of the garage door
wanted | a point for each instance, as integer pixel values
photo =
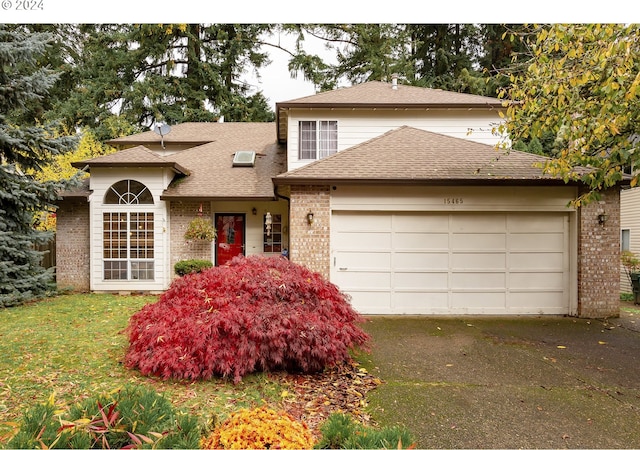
(599, 258)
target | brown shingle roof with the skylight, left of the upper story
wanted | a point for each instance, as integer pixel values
(208, 166)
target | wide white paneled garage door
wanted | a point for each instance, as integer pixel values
(452, 263)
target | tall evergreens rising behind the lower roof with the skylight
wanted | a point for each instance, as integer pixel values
(172, 73)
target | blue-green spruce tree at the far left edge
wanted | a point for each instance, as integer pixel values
(25, 147)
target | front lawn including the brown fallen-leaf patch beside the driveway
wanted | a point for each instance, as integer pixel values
(73, 347)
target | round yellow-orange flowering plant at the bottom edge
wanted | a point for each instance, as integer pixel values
(259, 428)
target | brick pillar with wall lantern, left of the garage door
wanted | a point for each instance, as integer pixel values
(309, 244)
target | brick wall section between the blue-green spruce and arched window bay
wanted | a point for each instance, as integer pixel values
(72, 245)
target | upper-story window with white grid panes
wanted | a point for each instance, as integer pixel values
(318, 138)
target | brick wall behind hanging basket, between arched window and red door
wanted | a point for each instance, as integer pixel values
(180, 214)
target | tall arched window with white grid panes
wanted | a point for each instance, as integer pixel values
(128, 236)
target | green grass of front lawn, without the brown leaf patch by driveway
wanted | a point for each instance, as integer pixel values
(73, 347)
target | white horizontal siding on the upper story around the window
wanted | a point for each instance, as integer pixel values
(355, 127)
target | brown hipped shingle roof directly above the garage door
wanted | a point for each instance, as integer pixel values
(410, 155)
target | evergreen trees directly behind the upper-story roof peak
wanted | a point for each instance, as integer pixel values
(456, 57)
